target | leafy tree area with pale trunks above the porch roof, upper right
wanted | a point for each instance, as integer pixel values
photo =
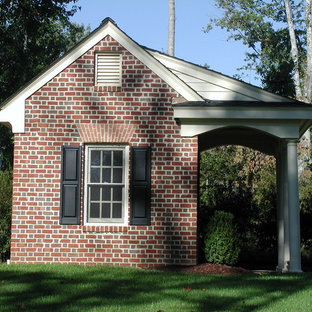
(277, 37)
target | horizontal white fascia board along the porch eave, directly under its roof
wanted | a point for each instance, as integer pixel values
(243, 113)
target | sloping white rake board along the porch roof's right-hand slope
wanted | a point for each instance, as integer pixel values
(218, 79)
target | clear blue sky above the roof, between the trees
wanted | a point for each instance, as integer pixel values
(146, 22)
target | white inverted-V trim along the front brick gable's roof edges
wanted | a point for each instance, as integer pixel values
(13, 109)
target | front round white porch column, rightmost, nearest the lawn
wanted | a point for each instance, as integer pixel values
(293, 207)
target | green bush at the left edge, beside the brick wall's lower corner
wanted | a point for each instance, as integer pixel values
(5, 213)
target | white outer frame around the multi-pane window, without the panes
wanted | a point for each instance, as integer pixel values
(126, 188)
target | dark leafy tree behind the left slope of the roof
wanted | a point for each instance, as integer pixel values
(33, 33)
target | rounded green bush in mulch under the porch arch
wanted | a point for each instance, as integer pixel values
(221, 241)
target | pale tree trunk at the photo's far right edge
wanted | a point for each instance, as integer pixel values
(308, 75)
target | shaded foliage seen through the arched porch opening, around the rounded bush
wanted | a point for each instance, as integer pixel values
(242, 181)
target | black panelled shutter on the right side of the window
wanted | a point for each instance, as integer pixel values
(140, 185)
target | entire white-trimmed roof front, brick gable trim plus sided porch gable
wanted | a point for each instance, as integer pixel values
(192, 82)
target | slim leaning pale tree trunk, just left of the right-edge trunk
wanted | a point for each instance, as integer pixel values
(294, 49)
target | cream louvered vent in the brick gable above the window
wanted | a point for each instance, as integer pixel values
(108, 69)
